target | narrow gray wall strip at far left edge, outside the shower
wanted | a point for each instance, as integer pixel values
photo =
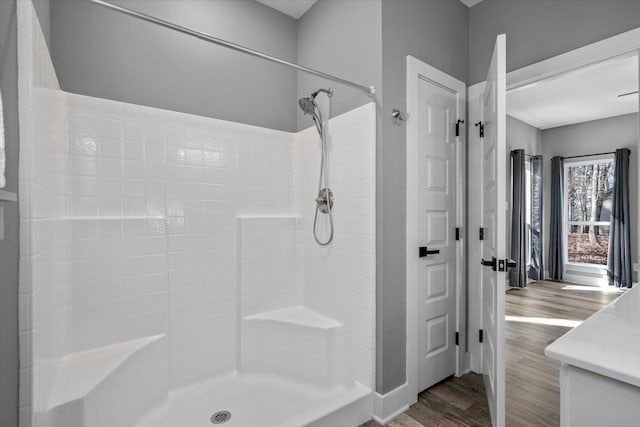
(9, 247)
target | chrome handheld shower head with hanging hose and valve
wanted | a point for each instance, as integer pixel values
(324, 200)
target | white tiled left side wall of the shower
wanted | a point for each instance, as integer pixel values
(45, 252)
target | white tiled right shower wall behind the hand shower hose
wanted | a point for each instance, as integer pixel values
(339, 279)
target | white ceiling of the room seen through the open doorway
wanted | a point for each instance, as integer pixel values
(582, 95)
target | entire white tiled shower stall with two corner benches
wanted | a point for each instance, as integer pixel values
(169, 275)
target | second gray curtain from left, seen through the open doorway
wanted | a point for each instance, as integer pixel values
(536, 269)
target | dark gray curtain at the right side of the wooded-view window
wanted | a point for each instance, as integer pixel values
(619, 260)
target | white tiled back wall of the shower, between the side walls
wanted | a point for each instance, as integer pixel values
(166, 189)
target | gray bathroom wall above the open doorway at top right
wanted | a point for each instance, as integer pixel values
(540, 29)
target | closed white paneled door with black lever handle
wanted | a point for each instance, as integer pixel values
(439, 107)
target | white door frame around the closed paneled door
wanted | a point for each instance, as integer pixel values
(415, 69)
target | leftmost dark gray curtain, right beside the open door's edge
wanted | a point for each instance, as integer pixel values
(517, 275)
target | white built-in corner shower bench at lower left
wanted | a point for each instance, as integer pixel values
(109, 385)
